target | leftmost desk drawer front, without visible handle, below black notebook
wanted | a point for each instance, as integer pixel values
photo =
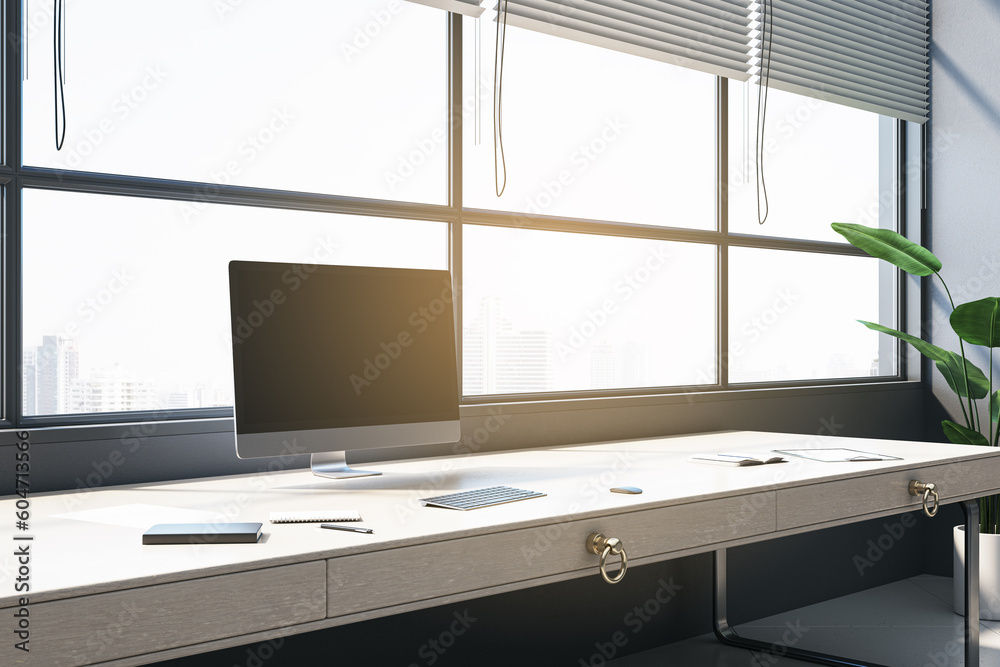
(96, 628)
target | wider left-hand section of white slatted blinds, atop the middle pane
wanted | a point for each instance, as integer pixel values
(708, 35)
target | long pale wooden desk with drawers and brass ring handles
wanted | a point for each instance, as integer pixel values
(98, 596)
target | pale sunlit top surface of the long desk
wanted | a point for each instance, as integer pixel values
(106, 556)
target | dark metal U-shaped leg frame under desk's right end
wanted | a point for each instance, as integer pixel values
(727, 635)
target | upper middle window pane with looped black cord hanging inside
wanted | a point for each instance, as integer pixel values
(590, 133)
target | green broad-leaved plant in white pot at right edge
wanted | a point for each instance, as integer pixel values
(976, 323)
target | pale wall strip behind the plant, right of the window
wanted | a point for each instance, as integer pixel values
(963, 227)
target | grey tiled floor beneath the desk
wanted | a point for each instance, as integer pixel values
(906, 624)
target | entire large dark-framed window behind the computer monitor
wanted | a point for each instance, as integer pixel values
(624, 256)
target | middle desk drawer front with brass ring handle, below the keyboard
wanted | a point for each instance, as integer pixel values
(410, 574)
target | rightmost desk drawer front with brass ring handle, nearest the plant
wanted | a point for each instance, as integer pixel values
(860, 496)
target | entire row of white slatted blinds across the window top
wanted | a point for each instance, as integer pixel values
(867, 54)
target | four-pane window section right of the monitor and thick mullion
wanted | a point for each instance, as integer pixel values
(611, 160)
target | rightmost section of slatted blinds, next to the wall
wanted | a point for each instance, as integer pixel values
(867, 54)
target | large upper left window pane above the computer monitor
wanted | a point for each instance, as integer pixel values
(305, 96)
